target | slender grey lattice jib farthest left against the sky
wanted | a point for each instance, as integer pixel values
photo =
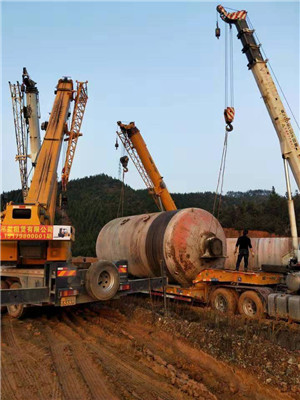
(17, 97)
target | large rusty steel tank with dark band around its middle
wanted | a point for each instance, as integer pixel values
(188, 241)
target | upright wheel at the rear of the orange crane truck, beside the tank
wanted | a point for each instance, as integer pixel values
(102, 280)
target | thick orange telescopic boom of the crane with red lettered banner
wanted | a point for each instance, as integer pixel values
(43, 187)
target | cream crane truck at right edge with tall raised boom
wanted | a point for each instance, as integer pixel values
(285, 302)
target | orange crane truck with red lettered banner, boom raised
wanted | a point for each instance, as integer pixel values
(36, 259)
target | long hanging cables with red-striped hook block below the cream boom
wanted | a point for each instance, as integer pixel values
(229, 99)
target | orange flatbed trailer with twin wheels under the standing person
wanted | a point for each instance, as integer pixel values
(253, 294)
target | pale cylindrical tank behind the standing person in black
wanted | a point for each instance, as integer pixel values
(272, 251)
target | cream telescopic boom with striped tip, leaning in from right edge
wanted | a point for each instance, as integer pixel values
(288, 141)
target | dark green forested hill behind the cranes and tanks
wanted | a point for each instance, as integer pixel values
(95, 200)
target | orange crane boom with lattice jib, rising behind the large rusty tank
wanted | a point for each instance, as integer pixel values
(134, 144)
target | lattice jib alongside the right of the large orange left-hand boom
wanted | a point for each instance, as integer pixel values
(74, 133)
